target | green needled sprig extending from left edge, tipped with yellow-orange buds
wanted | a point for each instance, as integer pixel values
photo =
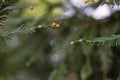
(24, 29)
